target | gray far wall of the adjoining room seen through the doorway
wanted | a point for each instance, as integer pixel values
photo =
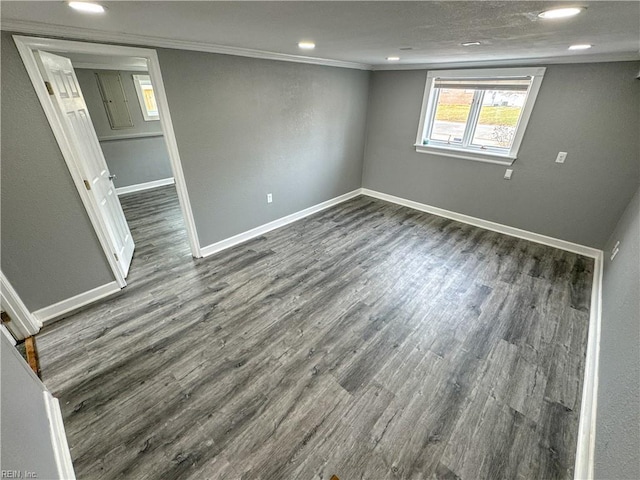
(133, 160)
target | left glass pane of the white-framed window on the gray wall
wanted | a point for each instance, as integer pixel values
(451, 116)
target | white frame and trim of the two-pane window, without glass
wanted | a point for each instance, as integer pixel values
(471, 152)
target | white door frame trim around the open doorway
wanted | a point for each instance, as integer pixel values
(26, 47)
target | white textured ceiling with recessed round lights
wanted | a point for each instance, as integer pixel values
(359, 34)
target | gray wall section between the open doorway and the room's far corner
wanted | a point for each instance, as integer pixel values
(247, 127)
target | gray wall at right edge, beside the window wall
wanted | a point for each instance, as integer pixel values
(618, 418)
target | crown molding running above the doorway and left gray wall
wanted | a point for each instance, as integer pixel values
(61, 31)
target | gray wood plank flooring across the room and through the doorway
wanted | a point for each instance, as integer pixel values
(368, 341)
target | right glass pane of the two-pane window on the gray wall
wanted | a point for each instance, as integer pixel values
(499, 116)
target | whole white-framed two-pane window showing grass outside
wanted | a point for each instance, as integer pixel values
(477, 114)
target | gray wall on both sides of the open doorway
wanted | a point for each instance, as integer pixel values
(244, 127)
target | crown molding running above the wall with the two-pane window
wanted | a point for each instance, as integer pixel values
(516, 62)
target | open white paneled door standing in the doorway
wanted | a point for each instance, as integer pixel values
(63, 85)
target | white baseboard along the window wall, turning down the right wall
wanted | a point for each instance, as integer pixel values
(585, 450)
